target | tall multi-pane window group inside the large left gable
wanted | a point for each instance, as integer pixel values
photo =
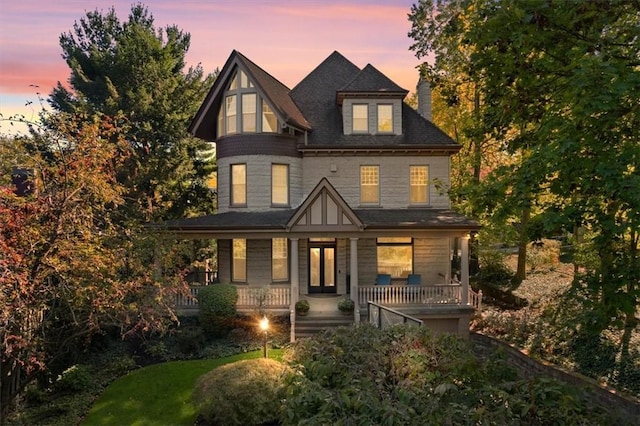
(244, 110)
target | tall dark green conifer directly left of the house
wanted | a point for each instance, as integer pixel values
(137, 70)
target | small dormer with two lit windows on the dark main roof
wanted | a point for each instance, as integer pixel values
(371, 104)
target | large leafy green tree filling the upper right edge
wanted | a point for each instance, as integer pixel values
(561, 81)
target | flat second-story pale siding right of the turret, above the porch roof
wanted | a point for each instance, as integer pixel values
(394, 177)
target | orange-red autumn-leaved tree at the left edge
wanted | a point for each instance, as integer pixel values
(68, 269)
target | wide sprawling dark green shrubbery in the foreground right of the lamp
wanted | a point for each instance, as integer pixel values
(407, 375)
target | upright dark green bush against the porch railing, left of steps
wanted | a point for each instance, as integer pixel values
(217, 305)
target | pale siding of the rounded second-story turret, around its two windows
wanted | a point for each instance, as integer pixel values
(258, 181)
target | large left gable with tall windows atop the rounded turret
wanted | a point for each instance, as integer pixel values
(246, 100)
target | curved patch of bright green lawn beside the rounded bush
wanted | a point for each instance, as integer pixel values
(159, 394)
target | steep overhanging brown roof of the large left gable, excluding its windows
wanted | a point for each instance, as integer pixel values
(204, 122)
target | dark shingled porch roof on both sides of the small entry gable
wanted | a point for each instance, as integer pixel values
(276, 220)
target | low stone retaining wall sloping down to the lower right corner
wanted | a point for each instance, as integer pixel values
(626, 408)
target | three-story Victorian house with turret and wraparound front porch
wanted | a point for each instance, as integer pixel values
(326, 187)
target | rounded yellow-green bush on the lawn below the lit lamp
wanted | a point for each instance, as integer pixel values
(243, 393)
